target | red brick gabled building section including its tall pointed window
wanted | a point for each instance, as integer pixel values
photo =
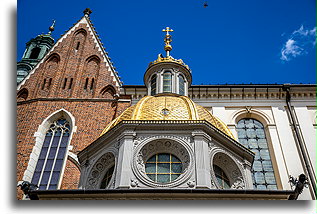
(63, 105)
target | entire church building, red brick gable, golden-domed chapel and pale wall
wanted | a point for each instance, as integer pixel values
(82, 134)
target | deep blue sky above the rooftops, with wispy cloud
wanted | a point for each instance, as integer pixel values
(230, 41)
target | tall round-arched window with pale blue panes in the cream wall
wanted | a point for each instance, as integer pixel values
(251, 134)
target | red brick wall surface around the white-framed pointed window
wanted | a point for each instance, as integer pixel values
(91, 115)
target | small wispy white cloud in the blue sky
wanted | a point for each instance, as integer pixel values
(299, 43)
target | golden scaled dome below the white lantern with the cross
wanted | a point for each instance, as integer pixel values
(168, 107)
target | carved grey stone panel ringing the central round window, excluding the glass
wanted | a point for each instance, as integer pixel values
(146, 149)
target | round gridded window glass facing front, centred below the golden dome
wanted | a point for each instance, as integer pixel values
(163, 168)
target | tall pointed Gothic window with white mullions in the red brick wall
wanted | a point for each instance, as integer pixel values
(51, 158)
